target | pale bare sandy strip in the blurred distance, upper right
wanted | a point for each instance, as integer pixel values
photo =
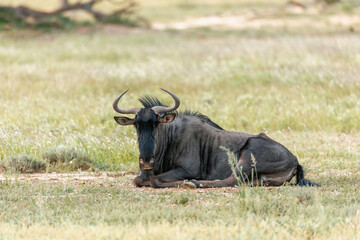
(248, 21)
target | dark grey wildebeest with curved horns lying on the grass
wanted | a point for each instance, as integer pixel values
(187, 149)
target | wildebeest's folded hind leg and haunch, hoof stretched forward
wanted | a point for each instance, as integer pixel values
(262, 161)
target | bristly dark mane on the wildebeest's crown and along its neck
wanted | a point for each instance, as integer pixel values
(149, 101)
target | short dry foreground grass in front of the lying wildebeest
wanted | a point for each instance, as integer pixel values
(103, 209)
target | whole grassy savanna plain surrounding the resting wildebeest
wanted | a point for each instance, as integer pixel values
(299, 84)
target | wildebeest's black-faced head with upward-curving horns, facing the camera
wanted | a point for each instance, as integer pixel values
(146, 121)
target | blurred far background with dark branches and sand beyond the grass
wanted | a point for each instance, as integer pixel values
(289, 16)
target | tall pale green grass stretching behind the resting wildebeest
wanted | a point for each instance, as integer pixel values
(59, 90)
